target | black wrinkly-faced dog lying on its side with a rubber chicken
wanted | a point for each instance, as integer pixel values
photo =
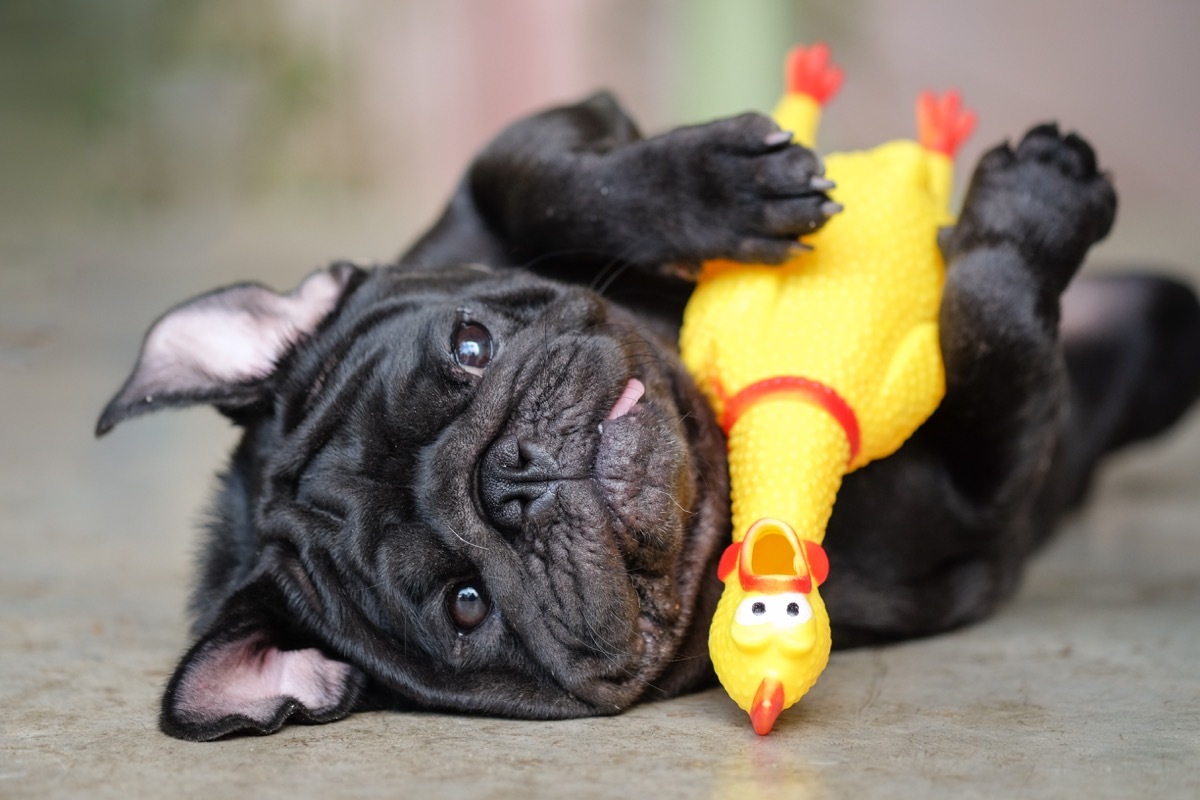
(430, 508)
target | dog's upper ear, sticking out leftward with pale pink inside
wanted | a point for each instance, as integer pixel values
(223, 347)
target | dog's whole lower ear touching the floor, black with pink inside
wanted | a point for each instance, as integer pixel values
(255, 670)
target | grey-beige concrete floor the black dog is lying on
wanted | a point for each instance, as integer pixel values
(1085, 687)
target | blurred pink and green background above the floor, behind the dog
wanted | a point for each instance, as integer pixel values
(358, 116)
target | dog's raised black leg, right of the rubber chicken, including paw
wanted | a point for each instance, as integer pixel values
(1030, 216)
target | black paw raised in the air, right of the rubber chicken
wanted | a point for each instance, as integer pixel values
(1046, 196)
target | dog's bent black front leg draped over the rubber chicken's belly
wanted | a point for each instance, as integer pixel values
(578, 187)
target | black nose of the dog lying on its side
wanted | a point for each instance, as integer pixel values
(517, 483)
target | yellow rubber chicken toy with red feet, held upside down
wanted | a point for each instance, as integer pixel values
(817, 368)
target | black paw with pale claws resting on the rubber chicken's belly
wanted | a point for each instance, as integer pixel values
(746, 191)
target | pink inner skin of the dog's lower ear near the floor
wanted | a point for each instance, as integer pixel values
(253, 679)
